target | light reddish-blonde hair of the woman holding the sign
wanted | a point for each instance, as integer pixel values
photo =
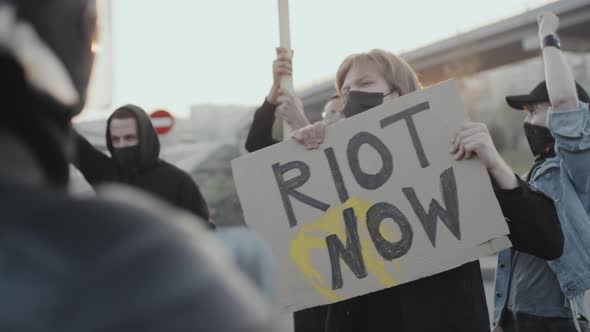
(396, 71)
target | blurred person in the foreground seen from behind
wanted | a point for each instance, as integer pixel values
(120, 262)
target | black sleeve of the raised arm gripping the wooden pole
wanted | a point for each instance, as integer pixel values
(260, 134)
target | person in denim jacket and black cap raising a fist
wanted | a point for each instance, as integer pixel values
(533, 294)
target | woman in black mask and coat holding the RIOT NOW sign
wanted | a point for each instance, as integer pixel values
(452, 300)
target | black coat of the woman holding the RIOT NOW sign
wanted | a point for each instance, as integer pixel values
(454, 300)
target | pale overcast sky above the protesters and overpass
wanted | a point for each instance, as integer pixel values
(175, 53)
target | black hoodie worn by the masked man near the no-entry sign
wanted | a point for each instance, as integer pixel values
(153, 175)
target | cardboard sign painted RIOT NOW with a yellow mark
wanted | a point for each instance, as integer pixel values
(381, 203)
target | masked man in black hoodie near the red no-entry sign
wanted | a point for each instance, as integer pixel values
(135, 150)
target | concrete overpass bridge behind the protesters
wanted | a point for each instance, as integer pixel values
(501, 43)
